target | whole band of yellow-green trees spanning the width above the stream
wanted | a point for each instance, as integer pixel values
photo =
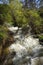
(15, 13)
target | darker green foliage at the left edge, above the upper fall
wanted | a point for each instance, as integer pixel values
(5, 13)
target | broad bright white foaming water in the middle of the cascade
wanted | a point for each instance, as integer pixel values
(24, 46)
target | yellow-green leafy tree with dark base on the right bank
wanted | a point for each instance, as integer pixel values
(35, 21)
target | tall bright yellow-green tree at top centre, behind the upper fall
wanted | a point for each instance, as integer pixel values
(18, 13)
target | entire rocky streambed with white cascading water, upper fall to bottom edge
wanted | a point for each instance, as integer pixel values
(25, 50)
